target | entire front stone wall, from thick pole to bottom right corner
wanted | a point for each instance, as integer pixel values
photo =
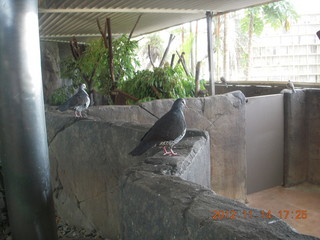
(98, 185)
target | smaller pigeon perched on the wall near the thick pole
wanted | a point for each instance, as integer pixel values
(79, 102)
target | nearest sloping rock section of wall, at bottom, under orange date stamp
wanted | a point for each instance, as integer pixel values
(155, 206)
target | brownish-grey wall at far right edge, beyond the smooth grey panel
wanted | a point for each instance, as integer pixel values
(302, 137)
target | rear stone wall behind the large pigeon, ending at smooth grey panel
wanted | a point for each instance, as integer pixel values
(223, 116)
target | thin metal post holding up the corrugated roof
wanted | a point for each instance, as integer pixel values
(210, 53)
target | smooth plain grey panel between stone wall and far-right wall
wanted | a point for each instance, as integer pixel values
(264, 139)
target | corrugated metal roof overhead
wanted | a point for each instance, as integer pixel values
(62, 19)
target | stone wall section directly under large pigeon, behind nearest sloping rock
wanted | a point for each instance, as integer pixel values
(89, 156)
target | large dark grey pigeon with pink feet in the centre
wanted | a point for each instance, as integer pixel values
(166, 132)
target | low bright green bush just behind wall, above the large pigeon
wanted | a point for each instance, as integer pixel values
(164, 82)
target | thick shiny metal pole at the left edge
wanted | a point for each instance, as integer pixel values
(23, 139)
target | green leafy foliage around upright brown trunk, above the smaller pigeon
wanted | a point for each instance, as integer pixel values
(93, 66)
